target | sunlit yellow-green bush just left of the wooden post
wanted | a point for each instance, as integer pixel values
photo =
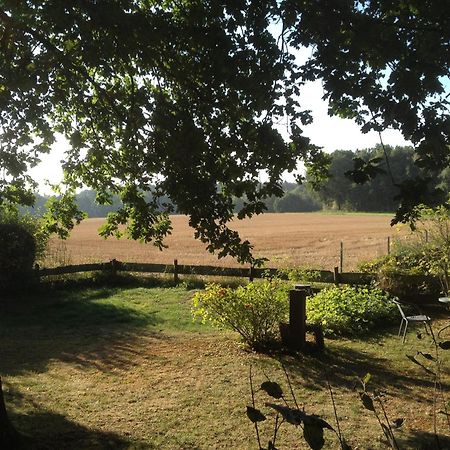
(254, 310)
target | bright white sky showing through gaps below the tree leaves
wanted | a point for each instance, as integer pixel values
(331, 133)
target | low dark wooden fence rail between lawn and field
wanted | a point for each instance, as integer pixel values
(175, 269)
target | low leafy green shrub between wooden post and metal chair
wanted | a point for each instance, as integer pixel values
(350, 310)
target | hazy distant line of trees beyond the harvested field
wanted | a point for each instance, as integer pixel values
(338, 192)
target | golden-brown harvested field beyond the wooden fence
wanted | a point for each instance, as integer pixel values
(290, 239)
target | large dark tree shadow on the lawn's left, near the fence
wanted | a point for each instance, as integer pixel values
(77, 325)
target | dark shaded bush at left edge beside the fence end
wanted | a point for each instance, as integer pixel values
(17, 256)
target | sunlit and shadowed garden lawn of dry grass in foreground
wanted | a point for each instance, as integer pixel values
(111, 368)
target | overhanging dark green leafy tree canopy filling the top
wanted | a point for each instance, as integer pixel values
(183, 98)
